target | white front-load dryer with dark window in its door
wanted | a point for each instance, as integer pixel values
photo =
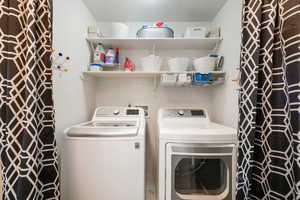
(197, 158)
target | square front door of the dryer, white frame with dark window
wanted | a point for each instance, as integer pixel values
(199, 172)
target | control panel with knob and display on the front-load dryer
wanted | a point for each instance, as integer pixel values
(185, 113)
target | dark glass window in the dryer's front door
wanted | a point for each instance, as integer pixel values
(199, 176)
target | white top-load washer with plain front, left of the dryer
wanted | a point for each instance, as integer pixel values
(105, 158)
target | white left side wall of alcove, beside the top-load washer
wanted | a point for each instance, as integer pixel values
(73, 98)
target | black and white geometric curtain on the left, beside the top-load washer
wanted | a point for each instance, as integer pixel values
(29, 159)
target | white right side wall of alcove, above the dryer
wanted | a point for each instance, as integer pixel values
(225, 97)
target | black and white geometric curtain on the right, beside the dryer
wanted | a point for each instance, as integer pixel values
(269, 134)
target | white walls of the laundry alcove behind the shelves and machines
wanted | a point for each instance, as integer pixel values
(75, 98)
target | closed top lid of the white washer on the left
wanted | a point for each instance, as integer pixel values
(105, 129)
